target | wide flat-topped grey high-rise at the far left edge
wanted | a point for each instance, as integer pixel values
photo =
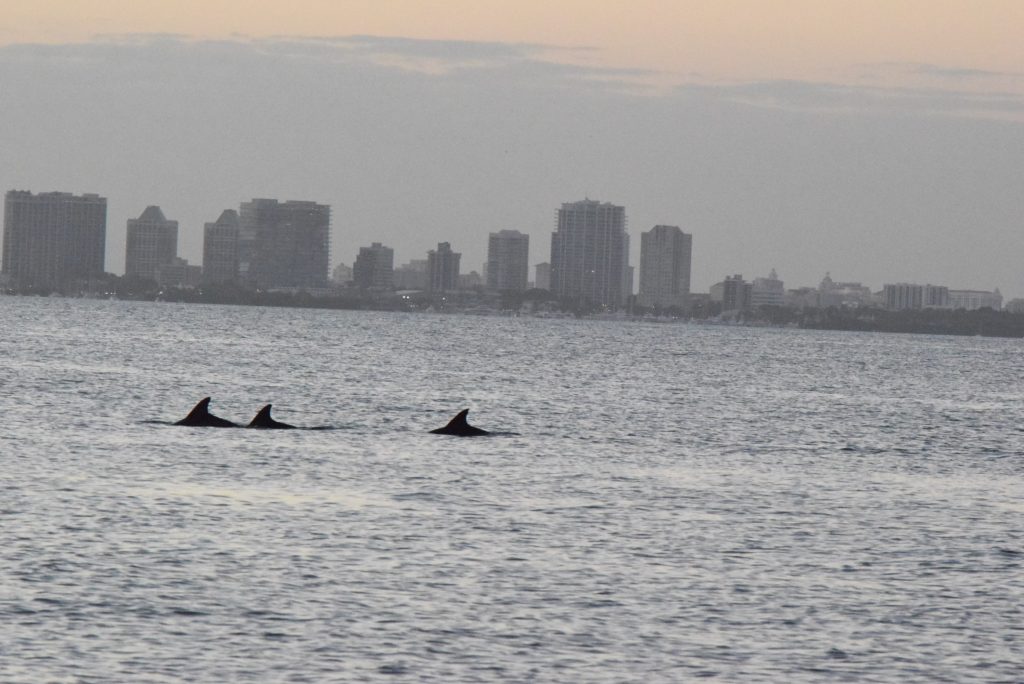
(53, 240)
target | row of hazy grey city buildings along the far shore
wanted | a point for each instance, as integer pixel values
(297, 235)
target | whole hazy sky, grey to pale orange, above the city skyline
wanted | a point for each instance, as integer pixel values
(879, 142)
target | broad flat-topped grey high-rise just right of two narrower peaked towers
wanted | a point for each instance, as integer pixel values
(284, 245)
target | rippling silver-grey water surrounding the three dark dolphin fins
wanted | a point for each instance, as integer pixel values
(679, 502)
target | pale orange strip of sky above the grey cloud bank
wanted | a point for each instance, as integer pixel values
(705, 40)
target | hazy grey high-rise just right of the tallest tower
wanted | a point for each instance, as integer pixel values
(666, 253)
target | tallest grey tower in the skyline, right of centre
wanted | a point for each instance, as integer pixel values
(590, 252)
